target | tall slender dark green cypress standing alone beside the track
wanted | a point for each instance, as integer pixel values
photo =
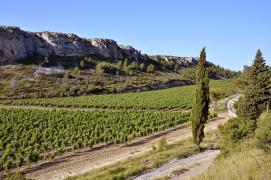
(201, 102)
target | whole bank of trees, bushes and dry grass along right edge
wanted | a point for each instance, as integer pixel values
(245, 141)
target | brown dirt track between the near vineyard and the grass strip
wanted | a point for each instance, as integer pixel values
(84, 161)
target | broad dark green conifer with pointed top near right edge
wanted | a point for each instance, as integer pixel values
(258, 89)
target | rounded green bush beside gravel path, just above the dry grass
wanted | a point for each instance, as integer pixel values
(234, 131)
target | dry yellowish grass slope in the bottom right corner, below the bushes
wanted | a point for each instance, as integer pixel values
(245, 162)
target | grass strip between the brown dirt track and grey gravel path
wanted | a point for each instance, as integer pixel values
(149, 160)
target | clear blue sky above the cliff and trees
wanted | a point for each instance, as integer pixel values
(231, 30)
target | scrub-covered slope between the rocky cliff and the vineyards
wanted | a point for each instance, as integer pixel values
(91, 76)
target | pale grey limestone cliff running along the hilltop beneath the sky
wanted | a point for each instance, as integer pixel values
(16, 45)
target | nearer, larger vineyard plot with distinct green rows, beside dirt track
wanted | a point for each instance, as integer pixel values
(30, 135)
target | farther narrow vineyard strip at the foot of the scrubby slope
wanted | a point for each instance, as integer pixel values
(179, 97)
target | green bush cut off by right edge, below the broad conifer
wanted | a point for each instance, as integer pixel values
(263, 132)
